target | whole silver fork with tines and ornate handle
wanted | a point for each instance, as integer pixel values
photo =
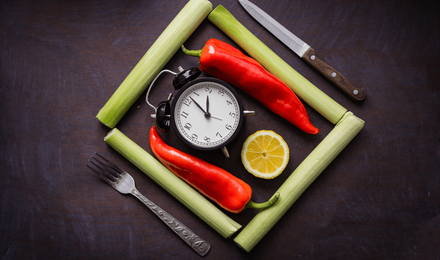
(121, 181)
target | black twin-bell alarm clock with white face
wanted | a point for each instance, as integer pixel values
(206, 113)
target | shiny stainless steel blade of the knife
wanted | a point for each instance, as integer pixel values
(289, 39)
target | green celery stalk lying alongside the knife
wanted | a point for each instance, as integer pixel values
(308, 92)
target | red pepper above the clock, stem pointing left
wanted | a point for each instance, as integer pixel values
(227, 63)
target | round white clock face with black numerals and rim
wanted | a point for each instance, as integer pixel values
(207, 114)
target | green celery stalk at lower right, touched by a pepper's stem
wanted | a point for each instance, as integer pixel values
(344, 131)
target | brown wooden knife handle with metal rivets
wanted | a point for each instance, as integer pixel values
(357, 94)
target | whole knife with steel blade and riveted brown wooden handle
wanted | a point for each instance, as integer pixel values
(303, 50)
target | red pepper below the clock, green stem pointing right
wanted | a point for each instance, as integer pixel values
(225, 189)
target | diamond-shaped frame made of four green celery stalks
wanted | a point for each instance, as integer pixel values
(347, 127)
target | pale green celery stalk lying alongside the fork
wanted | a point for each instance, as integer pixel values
(188, 196)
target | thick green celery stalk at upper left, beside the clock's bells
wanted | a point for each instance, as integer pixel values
(163, 49)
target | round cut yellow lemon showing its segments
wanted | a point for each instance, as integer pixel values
(265, 154)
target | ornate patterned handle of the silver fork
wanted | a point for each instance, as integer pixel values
(192, 239)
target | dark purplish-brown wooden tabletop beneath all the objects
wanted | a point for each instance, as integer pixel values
(61, 60)
